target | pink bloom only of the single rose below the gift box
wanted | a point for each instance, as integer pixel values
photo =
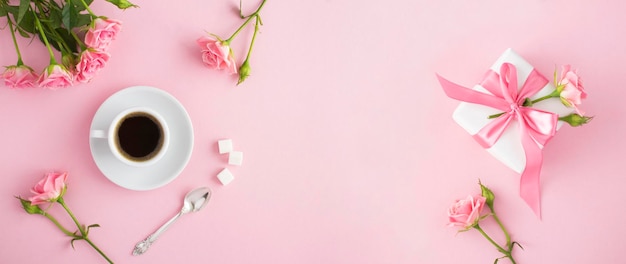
(466, 213)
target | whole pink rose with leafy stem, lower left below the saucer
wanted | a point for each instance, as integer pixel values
(48, 191)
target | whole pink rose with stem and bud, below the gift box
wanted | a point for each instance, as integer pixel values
(467, 213)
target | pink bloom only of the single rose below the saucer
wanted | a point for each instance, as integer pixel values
(49, 189)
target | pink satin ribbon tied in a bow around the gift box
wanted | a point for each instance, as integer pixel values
(536, 126)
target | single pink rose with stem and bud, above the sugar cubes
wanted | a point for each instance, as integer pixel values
(217, 54)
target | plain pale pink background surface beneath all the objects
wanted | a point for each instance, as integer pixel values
(350, 151)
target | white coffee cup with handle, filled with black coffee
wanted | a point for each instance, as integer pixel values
(137, 136)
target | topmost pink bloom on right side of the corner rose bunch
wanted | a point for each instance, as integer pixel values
(102, 32)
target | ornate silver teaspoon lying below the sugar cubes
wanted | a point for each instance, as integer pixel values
(193, 202)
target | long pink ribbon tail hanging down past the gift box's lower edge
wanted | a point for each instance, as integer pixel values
(529, 180)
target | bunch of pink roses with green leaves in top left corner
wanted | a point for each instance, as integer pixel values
(69, 27)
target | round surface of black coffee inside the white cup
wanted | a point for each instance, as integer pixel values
(139, 136)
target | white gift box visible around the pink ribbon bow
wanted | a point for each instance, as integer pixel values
(508, 149)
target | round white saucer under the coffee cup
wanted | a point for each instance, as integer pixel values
(170, 165)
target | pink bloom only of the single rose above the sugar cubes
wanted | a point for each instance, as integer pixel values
(217, 54)
